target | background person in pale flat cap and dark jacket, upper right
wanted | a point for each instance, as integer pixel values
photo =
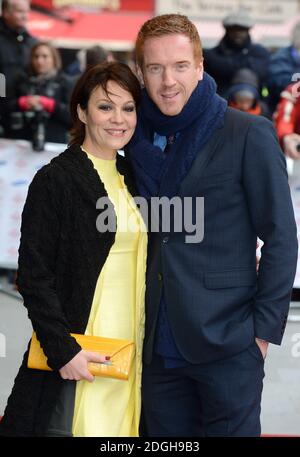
(235, 51)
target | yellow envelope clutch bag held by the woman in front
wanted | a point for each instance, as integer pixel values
(121, 354)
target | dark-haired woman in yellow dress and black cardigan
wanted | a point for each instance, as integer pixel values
(77, 279)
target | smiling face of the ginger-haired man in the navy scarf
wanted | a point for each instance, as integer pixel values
(170, 71)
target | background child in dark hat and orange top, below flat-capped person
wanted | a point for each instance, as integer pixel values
(243, 94)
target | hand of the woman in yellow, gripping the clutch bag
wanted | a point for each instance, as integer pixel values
(77, 368)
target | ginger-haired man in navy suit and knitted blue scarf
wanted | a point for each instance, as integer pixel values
(209, 316)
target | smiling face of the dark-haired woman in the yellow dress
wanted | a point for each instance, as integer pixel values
(109, 119)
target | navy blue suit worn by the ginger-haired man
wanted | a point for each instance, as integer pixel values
(216, 302)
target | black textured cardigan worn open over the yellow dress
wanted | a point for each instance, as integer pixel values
(61, 255)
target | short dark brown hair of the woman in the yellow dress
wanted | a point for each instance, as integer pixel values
(94, 77)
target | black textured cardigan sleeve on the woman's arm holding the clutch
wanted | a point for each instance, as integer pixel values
(40, 233)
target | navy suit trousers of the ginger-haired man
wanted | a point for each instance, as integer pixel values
(220, 398)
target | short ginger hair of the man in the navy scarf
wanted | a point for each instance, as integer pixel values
(167, 24)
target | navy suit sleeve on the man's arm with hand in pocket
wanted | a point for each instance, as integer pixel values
(271, 211)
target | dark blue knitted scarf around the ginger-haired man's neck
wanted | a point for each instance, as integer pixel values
(160, 174)
